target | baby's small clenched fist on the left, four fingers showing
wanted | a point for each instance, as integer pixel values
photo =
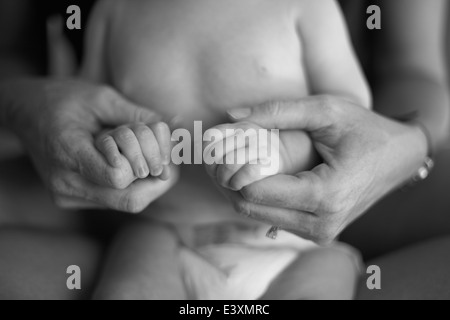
(146, 147)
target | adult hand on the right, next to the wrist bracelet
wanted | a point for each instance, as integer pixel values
(365, 156)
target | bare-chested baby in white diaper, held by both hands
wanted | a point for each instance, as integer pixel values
(195, 60)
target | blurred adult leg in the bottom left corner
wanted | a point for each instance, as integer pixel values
(34, 264)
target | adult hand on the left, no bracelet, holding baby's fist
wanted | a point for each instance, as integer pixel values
(57, 121)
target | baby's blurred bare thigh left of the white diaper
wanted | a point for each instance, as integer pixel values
(143, 263)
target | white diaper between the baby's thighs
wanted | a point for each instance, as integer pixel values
(241, 266)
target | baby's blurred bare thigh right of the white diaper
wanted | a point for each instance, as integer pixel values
(319, 274)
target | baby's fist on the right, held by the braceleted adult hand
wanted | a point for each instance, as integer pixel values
(240, 161)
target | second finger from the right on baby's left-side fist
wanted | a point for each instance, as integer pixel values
(150, 149)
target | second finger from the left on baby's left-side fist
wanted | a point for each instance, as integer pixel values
(130, 148)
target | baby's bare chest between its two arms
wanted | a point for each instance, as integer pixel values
(199, 58)
